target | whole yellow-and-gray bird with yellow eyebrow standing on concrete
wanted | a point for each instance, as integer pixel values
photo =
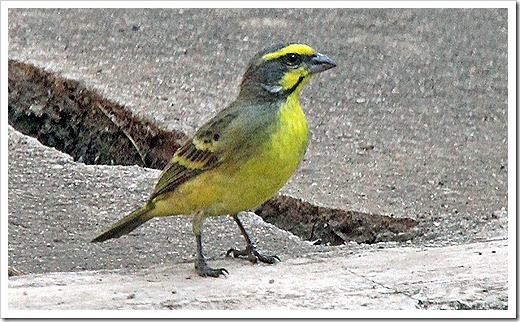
(242, 156)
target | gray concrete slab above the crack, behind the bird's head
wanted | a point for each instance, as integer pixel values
(426, 88)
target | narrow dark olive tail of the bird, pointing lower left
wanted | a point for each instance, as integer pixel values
(127, 224)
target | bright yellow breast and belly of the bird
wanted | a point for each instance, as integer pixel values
(230, 189)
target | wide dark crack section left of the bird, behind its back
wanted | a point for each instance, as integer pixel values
(64, 114)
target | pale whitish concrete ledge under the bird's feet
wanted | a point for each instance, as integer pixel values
(452, 277)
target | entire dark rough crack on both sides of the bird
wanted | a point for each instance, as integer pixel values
(64, 114)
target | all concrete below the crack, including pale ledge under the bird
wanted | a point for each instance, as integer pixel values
(149, 269)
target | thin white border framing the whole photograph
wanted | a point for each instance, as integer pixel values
(510, 313)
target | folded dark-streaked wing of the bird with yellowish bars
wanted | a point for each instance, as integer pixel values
(202, 153)
